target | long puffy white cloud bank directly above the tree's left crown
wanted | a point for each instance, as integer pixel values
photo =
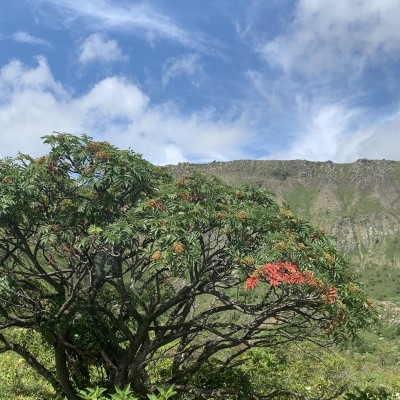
(33, 104)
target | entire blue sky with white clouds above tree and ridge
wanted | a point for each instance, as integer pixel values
(186, 80)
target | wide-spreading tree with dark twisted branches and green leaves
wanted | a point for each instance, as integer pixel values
(123, 270)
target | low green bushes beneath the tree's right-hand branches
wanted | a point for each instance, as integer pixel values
(306, 370)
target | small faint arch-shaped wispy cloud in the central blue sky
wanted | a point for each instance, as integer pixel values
(187, 64)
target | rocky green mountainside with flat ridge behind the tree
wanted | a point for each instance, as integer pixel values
(358, 203)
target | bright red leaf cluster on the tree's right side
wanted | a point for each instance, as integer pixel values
(287, 273)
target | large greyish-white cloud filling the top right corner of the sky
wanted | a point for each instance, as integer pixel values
(336, 36)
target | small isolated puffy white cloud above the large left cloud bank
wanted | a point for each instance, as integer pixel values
(97, 47)
